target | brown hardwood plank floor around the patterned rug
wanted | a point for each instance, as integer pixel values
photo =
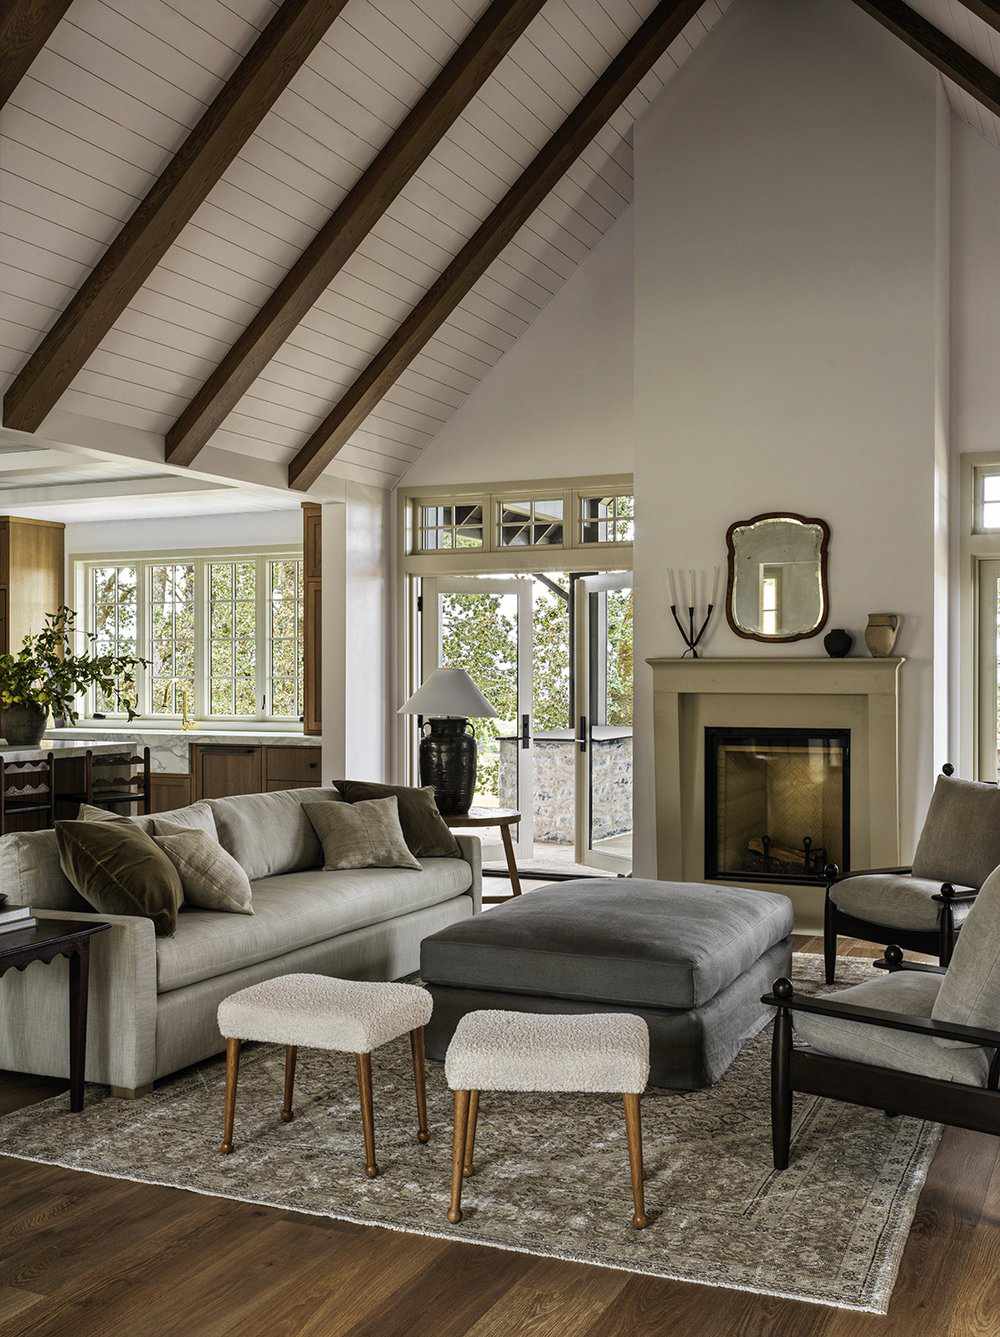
(88, 1256)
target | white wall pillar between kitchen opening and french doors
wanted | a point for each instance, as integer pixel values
(356, 636)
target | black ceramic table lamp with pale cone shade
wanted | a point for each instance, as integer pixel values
(447, 701)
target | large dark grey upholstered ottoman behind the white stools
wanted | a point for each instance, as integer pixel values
(691, 961)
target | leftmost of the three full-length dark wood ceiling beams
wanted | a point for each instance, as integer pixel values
(267, 70)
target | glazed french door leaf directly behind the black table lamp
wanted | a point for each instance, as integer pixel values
(486, 626)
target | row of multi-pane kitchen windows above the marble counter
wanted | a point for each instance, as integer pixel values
(223, 636)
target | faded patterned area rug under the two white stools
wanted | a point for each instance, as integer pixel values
(551, 1175)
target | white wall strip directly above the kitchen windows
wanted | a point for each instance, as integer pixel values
(182, 534)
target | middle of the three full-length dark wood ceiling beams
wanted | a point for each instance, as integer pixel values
(458, 84)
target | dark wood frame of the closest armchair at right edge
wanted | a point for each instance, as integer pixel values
(966, 1105)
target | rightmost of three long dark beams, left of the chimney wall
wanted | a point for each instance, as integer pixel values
(636, 59)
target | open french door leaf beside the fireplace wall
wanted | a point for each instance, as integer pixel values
(604, 743)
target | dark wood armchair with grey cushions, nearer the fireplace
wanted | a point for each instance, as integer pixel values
(920, 907)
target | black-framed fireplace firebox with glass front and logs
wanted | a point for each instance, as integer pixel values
(777, 804)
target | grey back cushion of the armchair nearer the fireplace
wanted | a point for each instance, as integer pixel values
(961, 842)
